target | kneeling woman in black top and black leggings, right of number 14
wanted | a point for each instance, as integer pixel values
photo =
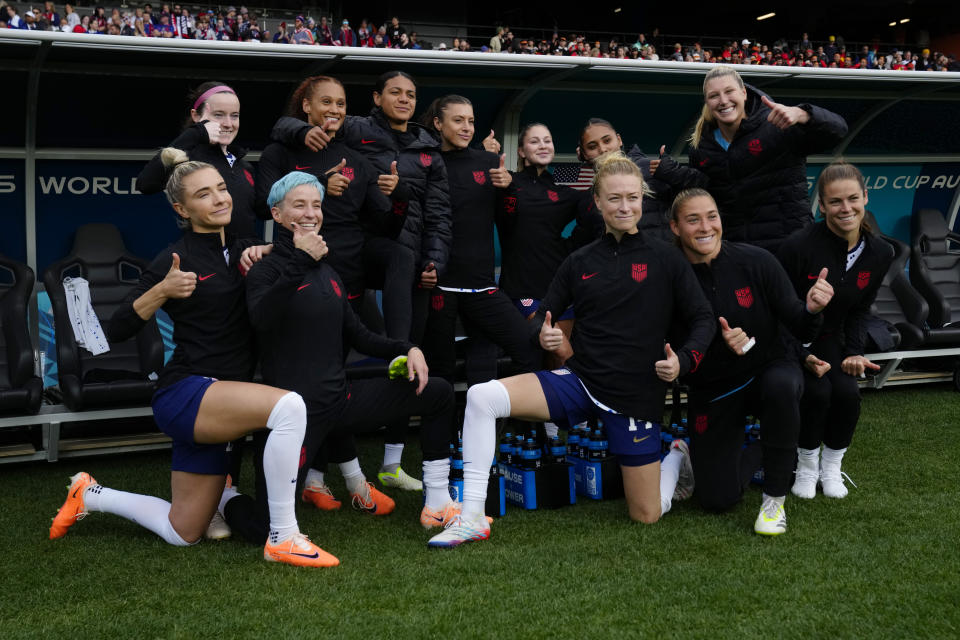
(746, 370)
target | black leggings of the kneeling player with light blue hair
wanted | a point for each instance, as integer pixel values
(369, 404)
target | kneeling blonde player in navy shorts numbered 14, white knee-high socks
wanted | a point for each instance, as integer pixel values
(628, 292)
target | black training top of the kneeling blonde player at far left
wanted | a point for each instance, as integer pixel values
(211, 328)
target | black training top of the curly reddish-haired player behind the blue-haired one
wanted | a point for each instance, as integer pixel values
(345, 218)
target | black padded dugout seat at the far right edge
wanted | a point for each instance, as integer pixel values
(935, 273)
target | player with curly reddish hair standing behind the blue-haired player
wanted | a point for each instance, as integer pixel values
(353, 200)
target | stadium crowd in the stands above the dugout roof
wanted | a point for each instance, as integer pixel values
(231, 24)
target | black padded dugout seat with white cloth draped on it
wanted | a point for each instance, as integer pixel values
(119, 377)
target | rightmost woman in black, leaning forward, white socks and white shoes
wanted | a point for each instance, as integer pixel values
(857, 262)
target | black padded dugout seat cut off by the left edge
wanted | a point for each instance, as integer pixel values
(20, 389)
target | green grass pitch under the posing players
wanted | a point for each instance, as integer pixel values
(881, 563)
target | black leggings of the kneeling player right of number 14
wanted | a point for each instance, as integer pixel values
(721, 466)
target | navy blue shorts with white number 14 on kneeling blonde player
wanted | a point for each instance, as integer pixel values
(635, 442)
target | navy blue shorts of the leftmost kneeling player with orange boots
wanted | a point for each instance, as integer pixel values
(175, 411)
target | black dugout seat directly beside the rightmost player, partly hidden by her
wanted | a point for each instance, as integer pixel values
(898, 303)
